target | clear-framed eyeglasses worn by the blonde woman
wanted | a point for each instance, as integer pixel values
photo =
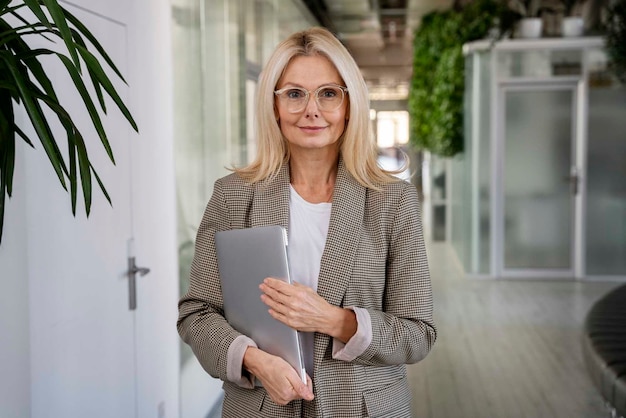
(328, 97)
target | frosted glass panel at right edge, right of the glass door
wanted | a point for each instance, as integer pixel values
(606, 167)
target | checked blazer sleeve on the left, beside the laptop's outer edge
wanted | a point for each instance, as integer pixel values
(201, 322)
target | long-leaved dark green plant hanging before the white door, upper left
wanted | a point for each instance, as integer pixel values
(23, 82)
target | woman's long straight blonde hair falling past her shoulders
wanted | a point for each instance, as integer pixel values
(357, 146)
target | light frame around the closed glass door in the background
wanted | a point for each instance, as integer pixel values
(579, 158)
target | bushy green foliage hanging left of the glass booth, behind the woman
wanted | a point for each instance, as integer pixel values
(437, 84)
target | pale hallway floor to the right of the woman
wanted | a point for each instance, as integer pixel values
(505, 348)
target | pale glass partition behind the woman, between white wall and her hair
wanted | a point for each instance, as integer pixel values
(219, 47)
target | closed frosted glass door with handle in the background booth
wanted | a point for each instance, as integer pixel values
(539, 180)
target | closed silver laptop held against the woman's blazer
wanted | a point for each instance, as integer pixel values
(245, 257)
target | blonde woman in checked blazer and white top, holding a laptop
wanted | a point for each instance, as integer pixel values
(363, 296)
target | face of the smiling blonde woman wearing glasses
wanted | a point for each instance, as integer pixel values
(311, 128)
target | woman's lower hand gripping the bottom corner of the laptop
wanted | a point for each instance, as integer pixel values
(280, 380)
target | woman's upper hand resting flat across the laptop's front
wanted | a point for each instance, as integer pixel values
(301, 308)
